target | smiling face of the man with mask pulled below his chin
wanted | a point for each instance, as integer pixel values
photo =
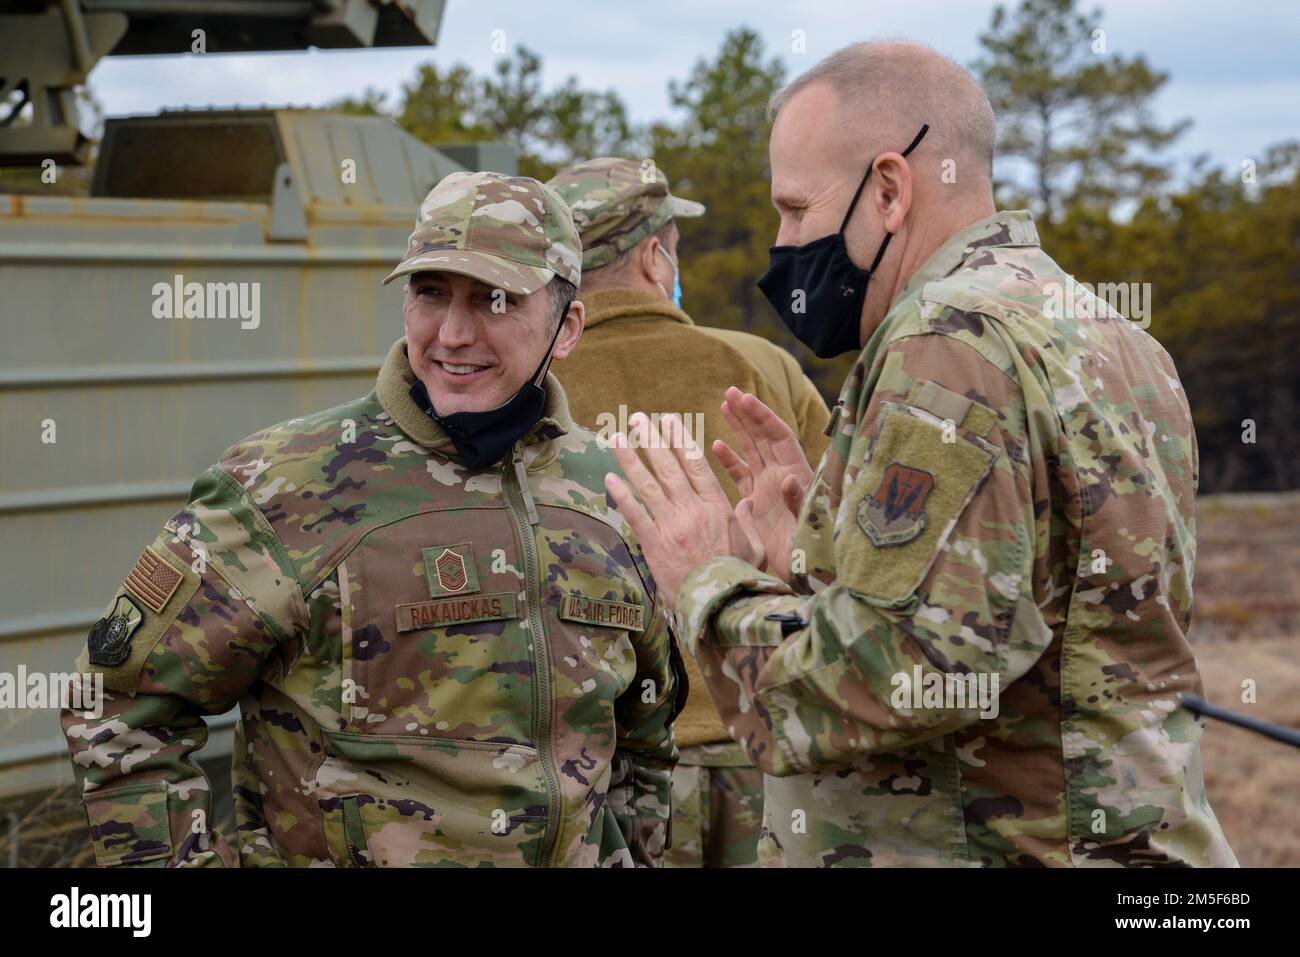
(473, 345)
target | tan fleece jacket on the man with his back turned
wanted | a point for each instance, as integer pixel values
(643, 353)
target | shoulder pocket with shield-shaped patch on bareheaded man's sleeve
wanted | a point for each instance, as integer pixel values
(920, 475)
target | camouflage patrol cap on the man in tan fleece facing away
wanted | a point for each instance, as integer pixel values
(617, 203)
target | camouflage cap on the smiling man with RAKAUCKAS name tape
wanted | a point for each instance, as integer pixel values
(510, 232)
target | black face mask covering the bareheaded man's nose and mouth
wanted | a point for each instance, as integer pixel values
(833, 287)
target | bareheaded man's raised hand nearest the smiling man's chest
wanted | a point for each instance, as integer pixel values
(677, 508)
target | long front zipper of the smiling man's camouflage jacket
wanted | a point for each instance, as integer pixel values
(541, 655)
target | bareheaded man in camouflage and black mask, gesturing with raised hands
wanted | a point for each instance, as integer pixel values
(1007, 508)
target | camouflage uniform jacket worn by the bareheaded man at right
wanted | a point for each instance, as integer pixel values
(1008, 496)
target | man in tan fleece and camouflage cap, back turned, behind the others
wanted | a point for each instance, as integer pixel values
(627, 220)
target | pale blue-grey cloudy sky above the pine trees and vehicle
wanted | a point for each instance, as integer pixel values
(1234, 67)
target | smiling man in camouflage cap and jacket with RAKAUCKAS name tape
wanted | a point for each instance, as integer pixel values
(436, 664)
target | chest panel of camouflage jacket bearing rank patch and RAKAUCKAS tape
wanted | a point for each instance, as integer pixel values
(434, 644)
